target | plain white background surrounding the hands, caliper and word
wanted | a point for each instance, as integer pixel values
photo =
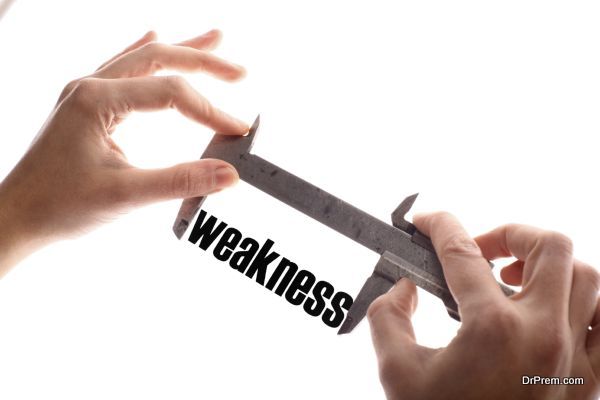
(488, 109)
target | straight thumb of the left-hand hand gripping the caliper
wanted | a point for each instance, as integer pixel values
(192, 179)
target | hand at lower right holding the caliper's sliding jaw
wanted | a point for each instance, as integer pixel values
(544, 330)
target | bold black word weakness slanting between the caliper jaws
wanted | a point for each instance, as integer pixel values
(247, 256)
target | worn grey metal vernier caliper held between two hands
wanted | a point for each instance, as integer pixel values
(405, 252)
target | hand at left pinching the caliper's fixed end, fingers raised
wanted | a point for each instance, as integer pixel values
(74, 176)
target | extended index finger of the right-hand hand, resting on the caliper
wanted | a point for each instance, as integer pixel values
(467, 272)
